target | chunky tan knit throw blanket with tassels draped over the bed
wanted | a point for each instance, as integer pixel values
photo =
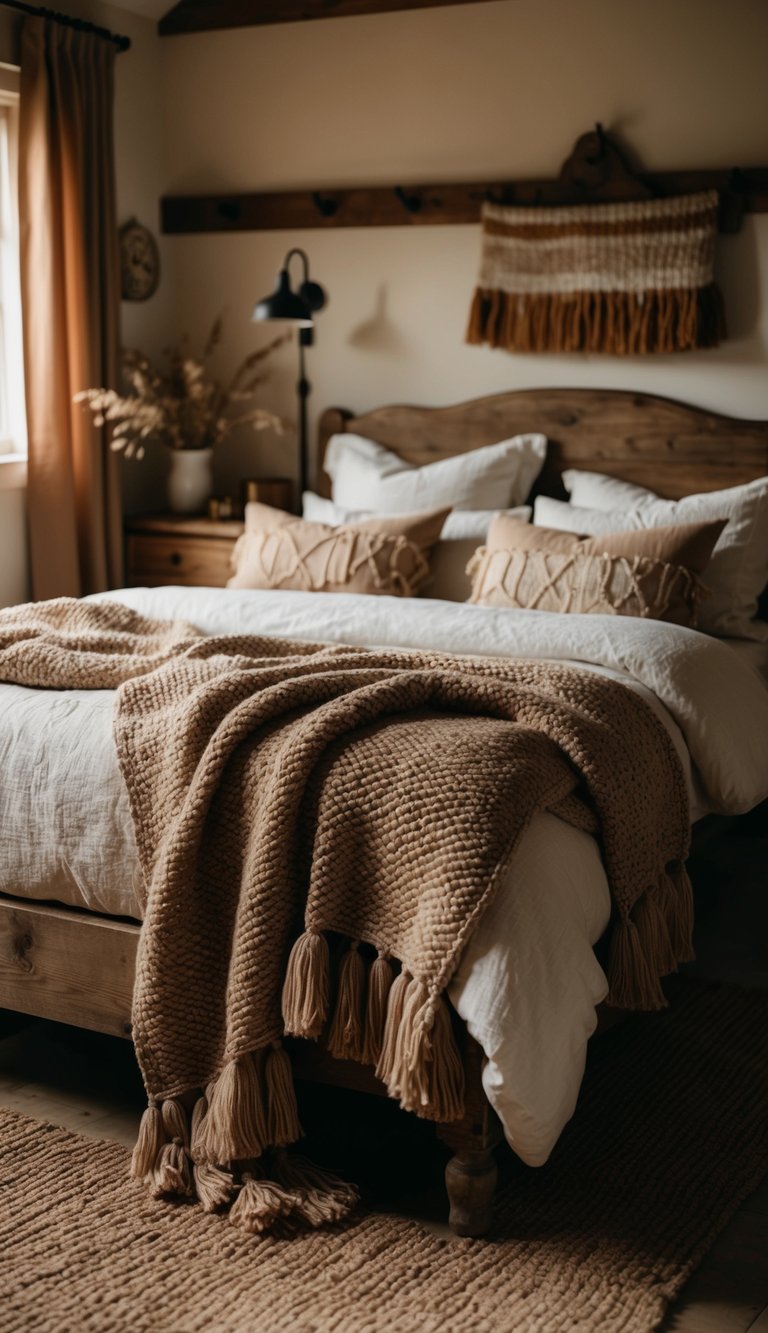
(321, 828)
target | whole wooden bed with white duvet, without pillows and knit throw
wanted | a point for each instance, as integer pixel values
(71, 887)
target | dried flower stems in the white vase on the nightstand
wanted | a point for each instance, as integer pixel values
(185, 409)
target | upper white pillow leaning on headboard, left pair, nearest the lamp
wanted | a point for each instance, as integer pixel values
(366, 475)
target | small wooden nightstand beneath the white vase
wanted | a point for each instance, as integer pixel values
(169, 550)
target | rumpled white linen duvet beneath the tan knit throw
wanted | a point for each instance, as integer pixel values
(529, 980)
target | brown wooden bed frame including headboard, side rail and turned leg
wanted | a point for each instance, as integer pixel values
(77, 967)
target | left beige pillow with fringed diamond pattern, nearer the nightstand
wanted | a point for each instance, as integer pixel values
(373, 557)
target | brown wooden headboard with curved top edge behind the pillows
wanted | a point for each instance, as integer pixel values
(669, 447)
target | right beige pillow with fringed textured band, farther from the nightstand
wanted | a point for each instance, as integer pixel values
(651, 574)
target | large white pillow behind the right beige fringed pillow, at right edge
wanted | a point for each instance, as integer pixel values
(738, 571)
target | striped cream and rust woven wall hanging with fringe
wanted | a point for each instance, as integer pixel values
(625, 279)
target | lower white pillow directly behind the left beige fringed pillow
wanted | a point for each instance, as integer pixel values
(463, 533)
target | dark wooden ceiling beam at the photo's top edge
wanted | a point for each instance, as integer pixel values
(213, 15)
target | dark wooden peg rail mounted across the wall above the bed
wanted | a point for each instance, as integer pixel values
(429, 206)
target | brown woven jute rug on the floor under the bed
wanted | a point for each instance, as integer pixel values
(670, 1136)
